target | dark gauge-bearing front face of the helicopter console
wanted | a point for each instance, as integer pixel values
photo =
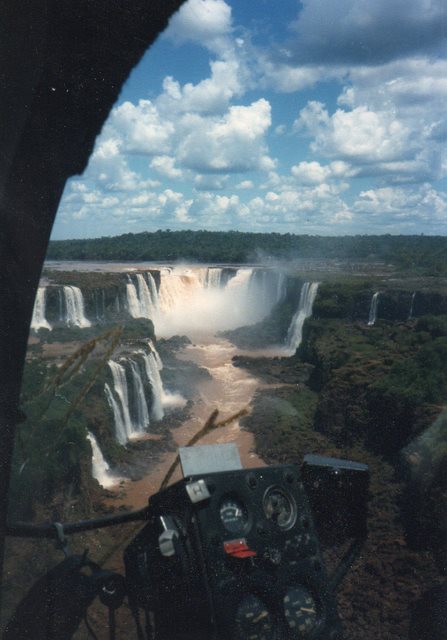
(273, 526)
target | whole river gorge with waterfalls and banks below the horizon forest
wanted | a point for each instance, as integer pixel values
(127, 362)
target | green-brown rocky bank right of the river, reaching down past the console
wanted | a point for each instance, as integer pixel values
(375, 395)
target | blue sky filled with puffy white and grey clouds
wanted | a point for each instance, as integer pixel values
(315, 117)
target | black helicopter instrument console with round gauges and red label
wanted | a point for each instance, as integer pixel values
(233, 555)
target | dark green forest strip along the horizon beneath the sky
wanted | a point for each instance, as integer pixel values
(423, 254)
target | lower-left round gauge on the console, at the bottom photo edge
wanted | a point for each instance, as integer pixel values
(254, 621)
